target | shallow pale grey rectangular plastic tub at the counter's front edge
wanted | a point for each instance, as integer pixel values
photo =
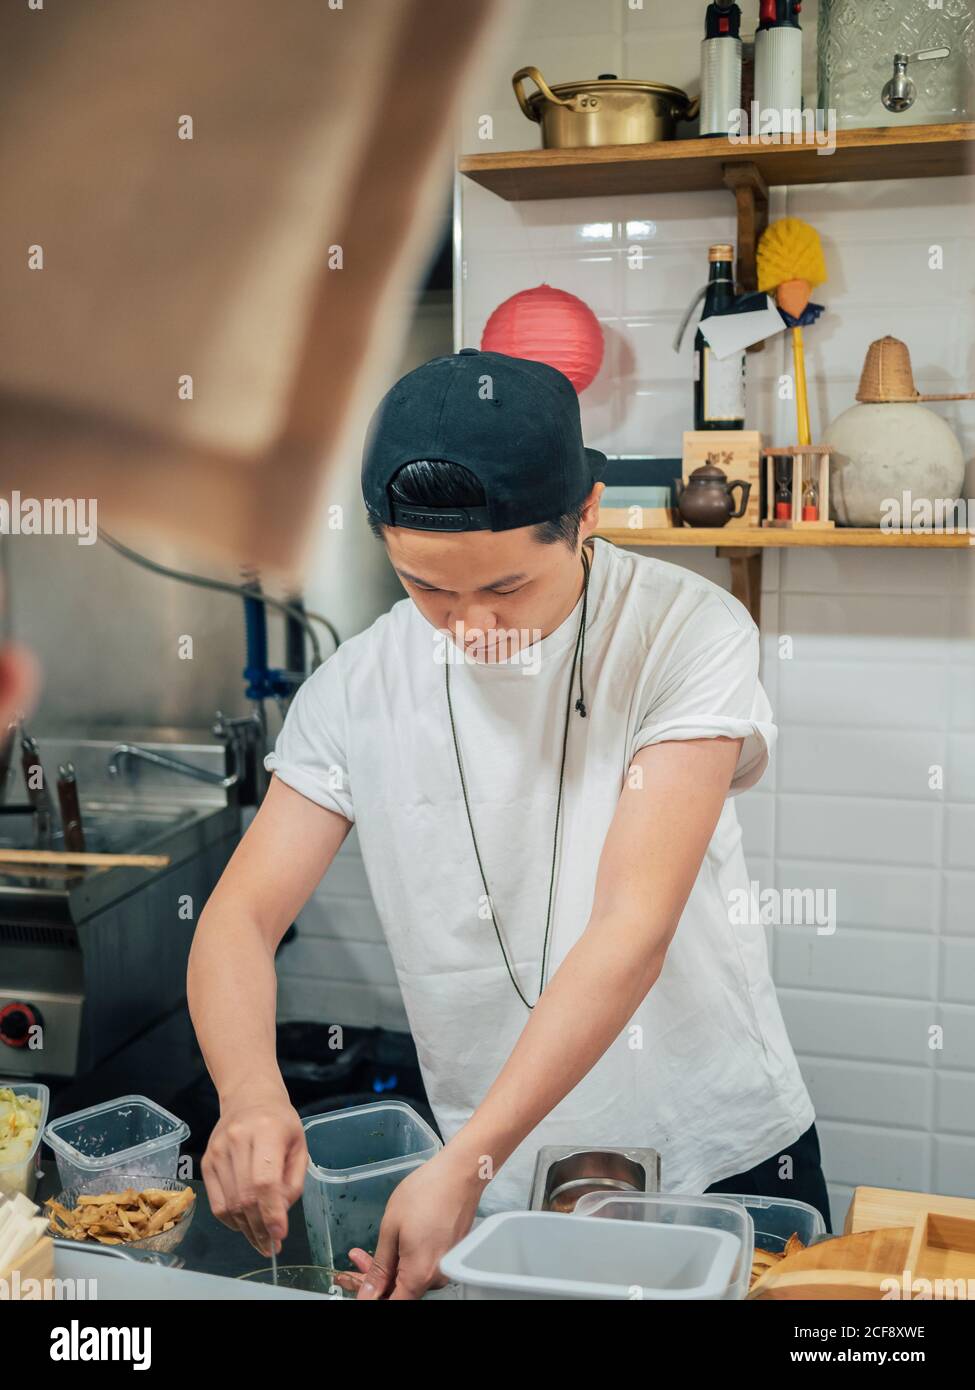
(532, 1256)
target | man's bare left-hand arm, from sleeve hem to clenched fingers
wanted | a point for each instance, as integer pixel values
(255, 1164)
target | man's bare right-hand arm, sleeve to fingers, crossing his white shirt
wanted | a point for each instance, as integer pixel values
(652, 857)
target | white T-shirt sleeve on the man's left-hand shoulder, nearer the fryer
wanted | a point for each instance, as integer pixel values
(311, 753)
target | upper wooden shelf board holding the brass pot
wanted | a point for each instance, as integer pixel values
(691, 166)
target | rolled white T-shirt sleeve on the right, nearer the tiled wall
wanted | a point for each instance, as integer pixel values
(714, 693)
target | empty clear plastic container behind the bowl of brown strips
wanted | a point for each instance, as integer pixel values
(130, 1138)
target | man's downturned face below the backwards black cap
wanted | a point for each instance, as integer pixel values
(494, 591)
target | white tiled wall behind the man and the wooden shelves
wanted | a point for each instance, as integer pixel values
(881, 685)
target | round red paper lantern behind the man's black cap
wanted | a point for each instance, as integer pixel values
(551, 326)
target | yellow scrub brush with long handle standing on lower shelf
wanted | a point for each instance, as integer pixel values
(791, 265)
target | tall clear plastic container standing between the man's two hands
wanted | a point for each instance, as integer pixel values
(357, 1160)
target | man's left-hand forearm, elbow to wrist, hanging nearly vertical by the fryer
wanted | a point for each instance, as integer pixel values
(232, 990)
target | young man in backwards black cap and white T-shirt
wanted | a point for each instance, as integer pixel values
(538, 749)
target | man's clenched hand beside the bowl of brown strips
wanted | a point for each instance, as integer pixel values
(254, 1167)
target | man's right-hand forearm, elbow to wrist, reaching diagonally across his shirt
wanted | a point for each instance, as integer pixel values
(589, 1001)
